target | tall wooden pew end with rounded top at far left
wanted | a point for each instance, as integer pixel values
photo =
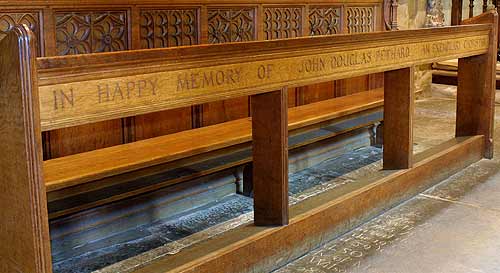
(24, 228)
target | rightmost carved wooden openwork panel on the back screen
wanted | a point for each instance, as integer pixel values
(360, 19)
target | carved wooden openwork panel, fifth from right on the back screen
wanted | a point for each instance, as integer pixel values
(167, 28)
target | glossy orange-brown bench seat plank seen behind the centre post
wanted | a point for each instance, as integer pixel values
(85, 167)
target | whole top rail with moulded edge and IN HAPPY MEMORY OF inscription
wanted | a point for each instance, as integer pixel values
(81, 89)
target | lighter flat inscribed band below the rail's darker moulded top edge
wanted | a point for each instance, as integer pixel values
(184, 87)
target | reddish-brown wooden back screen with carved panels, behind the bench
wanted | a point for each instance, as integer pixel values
(64, 28)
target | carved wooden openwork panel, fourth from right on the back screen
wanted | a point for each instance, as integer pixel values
(231, 25)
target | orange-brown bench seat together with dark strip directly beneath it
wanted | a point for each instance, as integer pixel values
(85, 173)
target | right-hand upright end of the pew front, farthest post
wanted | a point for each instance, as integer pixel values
(476, 89)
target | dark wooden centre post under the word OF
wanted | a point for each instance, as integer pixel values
(270, 158)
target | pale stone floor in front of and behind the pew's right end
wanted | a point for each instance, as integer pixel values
(452, 227)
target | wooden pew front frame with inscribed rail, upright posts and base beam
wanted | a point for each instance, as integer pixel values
(50, 93)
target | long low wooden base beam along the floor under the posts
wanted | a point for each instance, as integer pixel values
(320, 217)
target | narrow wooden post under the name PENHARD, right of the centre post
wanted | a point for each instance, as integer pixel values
(398, 118)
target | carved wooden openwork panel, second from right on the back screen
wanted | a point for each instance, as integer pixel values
(324, 20)
